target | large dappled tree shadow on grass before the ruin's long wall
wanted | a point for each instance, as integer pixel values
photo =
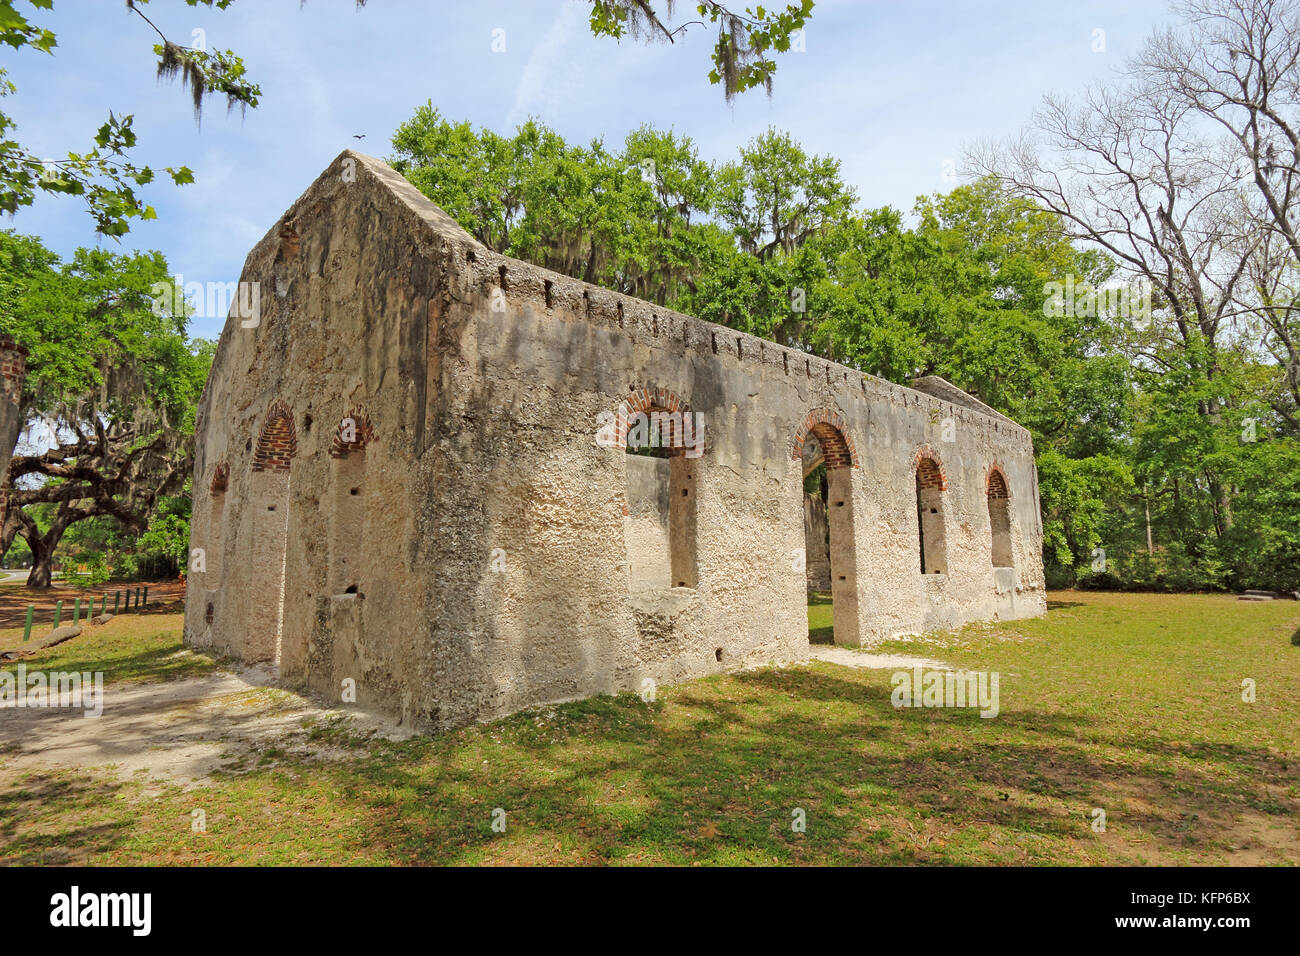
(718, 778)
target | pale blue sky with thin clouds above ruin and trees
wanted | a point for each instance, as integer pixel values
(894, 90)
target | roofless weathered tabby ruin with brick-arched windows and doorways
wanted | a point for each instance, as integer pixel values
(414, 474)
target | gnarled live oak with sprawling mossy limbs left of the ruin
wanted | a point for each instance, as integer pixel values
(110, 396)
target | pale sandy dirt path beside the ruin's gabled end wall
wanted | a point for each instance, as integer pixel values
(177, 732)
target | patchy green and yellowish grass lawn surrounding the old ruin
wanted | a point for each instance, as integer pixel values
(1128, 703)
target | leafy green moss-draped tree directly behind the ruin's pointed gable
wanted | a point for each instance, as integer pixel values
(631, 219)
